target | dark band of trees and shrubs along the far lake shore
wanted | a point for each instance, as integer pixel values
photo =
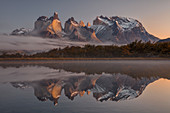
(135, 49)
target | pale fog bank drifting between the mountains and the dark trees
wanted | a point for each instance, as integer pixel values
(31, 45)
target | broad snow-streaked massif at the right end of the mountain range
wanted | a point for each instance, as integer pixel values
(120, 30)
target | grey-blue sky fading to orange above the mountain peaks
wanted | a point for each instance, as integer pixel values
(153, 14)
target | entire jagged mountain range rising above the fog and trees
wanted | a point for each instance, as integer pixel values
(115, 30)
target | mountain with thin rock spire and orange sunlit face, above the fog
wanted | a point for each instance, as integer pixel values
(48, 27)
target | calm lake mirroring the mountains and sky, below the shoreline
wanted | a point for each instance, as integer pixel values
(89, 86)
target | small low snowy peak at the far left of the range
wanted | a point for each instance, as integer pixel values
(20, 32)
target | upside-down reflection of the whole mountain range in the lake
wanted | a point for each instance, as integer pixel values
(114, 87)
